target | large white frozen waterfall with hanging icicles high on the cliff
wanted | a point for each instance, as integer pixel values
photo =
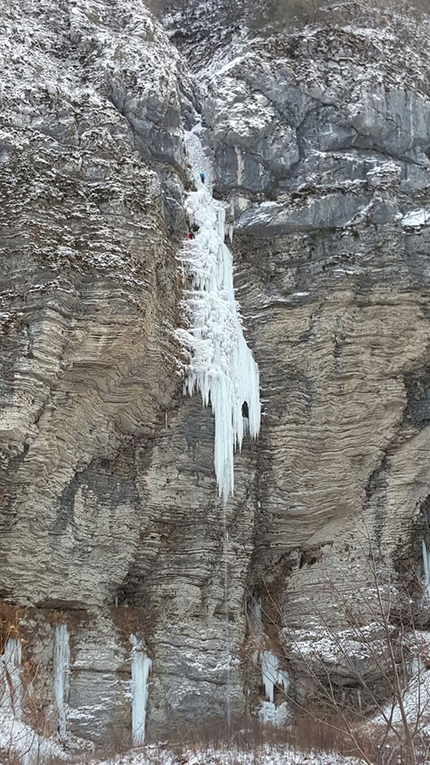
(221, 367)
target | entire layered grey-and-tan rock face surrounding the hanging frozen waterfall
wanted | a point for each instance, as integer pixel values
(110, 519)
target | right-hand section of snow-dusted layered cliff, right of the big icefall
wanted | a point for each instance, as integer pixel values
(331, 249)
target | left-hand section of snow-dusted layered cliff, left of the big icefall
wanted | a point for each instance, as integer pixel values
(89, 307)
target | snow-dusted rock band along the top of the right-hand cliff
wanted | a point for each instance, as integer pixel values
(329, 61)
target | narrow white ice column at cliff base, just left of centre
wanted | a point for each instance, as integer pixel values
(141, 666)
